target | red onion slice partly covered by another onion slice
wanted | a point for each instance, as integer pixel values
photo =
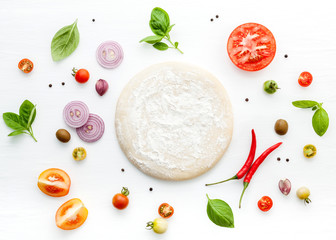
(92, 130)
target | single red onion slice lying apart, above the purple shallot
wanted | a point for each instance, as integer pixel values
(109, 54)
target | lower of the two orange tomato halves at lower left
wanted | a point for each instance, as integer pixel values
(71, 215)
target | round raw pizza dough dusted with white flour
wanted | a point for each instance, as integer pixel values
(174, 121)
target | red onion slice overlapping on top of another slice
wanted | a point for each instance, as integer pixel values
(76, 114)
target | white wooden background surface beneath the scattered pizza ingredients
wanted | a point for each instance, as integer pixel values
(305, 30)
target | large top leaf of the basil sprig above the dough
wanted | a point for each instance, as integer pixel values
(159, 22)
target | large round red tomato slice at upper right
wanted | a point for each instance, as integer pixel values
(251, 47)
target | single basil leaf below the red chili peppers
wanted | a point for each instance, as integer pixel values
(220, 213)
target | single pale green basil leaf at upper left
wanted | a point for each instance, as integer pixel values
(65, 42)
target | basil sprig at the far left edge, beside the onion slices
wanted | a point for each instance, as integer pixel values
(21, 123)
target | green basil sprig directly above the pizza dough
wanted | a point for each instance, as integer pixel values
(160, 26)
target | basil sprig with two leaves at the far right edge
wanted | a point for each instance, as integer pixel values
(320, 119)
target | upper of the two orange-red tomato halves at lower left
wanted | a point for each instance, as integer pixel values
(54, 182)
